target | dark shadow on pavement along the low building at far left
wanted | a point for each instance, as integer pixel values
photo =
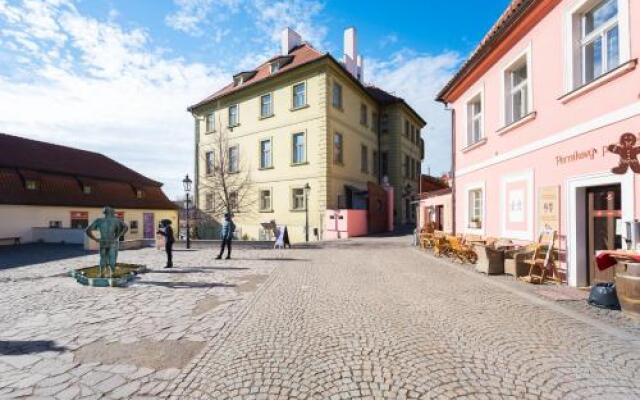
(37, 253)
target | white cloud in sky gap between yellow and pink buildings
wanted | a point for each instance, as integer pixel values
(418, 78)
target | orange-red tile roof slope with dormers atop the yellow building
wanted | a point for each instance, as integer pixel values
(301, 55)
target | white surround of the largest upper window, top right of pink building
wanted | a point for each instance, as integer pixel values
(570, 40)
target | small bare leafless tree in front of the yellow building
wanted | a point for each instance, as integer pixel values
(226, 176)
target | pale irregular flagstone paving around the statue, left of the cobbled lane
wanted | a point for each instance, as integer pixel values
(61, 340)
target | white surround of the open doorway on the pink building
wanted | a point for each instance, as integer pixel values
(577, 206)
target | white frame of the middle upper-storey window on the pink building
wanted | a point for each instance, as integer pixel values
(508, 91)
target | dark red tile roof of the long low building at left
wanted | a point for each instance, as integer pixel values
(61, 172)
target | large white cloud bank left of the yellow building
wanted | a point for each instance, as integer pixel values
(107, 89)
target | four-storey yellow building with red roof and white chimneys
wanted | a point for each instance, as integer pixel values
(303, 118)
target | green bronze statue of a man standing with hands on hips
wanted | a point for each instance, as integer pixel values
(111, 228)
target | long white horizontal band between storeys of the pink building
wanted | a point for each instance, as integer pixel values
(611, 118)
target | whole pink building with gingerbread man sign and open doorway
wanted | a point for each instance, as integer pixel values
(534, 110)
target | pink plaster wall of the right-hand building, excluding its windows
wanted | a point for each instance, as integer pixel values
(565, 141)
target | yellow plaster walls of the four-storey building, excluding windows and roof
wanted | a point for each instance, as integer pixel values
(319, 121)
